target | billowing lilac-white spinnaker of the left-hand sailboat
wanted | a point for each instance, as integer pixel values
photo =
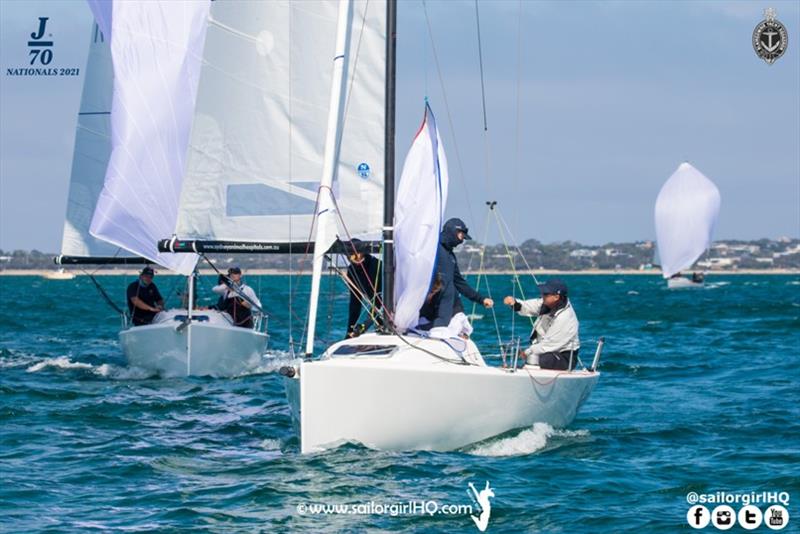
(156, 51)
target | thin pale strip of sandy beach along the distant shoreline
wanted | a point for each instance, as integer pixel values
(269, 272)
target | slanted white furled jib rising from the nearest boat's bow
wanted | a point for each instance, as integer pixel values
(331, 159)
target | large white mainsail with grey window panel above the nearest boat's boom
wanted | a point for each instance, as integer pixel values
(256, 150)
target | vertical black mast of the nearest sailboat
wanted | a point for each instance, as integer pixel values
(388, 187)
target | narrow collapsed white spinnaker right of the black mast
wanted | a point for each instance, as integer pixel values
(419, 209)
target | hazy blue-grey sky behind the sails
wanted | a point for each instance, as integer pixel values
(590, 107)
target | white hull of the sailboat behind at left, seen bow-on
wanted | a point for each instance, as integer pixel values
(211, 347)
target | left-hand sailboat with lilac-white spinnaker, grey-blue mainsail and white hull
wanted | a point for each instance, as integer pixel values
(125, 185)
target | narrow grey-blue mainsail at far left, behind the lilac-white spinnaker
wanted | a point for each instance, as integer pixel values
(91, 153)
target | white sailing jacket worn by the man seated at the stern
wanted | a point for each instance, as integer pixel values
(554, 333)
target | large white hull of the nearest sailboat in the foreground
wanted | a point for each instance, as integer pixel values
(413, 401)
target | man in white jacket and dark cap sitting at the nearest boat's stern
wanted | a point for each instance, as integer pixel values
(554, 338)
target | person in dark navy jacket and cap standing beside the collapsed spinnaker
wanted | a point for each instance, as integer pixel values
(454, 232)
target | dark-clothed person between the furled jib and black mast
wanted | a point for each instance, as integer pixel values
(364, 282)
